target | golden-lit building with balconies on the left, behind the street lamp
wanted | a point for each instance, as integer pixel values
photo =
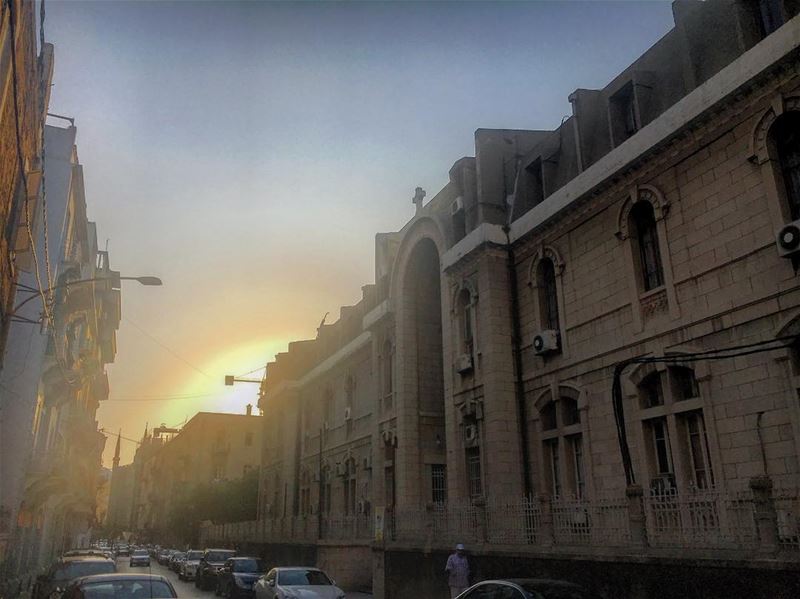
(50, 448)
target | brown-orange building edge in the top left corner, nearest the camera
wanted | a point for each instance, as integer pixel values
(23, 105)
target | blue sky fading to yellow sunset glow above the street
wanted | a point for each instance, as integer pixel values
(248, 153)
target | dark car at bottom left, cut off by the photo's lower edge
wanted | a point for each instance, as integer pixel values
(120, 586)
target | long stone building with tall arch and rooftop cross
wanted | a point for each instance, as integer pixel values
(579, 357)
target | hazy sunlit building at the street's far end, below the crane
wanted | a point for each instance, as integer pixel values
(172, 464)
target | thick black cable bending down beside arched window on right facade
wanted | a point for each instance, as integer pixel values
(714, 354)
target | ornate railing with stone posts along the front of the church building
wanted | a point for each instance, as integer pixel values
(758, 520)
